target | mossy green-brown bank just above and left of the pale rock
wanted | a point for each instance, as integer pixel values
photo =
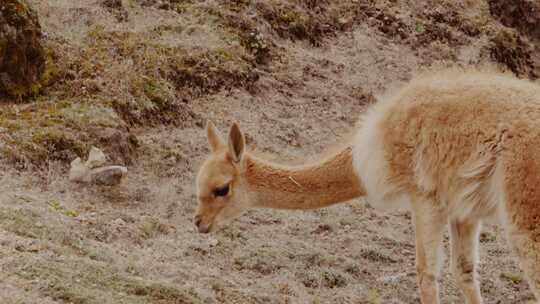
(46, 131)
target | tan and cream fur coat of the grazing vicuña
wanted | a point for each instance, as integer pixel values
(453, 147)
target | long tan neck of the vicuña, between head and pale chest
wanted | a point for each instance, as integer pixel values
(317, 185)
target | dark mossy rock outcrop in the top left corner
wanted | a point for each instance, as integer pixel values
(22, 56)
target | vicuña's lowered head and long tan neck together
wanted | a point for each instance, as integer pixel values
(233, 180)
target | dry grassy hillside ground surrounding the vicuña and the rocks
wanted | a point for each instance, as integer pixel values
(295, 75)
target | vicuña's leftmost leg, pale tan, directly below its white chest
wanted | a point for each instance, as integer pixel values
(429, 223)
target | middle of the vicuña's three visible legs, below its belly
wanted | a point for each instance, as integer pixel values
(464, 239)
